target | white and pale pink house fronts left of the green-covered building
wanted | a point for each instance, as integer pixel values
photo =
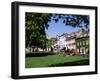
(66, 40)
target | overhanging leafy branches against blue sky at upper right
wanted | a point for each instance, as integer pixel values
(73, 20)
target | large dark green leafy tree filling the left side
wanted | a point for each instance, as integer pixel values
(35, 25)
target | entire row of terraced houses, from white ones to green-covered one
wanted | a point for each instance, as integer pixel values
(77, 41)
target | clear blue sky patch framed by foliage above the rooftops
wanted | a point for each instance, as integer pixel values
(59, 28)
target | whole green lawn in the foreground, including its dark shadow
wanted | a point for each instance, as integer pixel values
(55, 60)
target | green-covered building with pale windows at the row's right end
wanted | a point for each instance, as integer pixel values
(82, 42)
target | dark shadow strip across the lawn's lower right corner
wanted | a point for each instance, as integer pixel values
(75, 63)
